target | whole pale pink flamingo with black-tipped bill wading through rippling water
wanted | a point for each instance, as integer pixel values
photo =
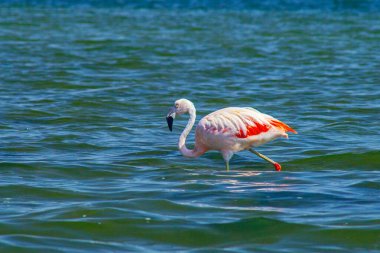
(228, 130)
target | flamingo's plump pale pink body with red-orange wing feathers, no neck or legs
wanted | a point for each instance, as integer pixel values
(238, 128)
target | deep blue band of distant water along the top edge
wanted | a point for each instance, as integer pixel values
(210, 4)
